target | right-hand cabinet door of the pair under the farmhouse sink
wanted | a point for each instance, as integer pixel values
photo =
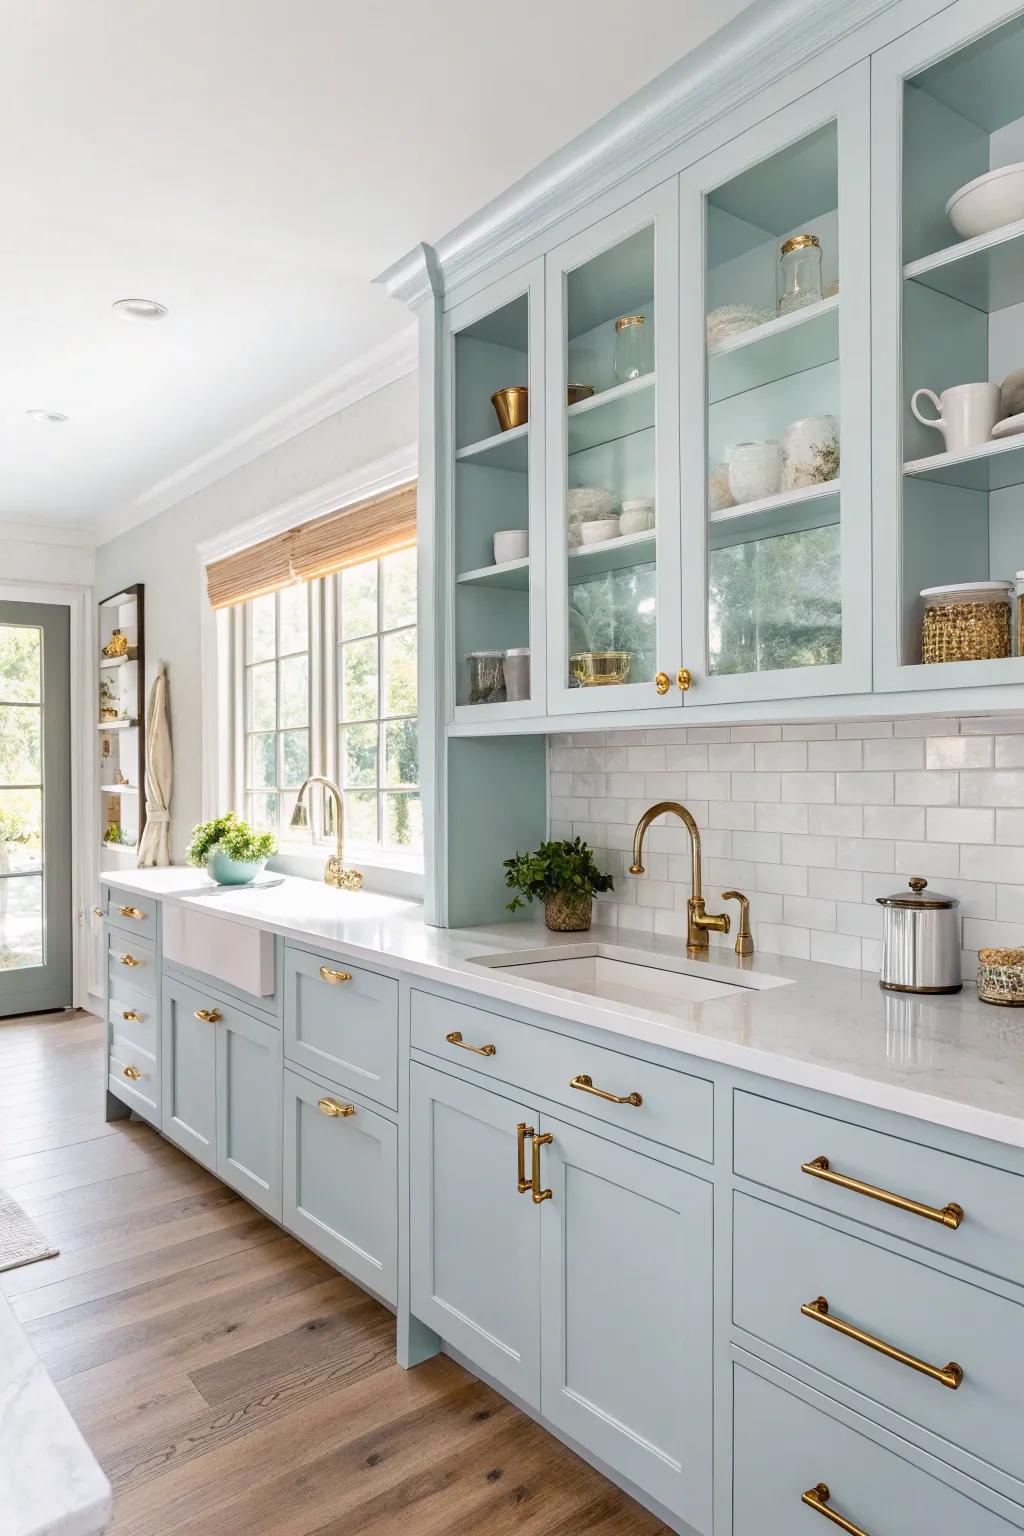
(249, 1108)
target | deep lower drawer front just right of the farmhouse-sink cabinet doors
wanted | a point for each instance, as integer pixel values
(342, 1183)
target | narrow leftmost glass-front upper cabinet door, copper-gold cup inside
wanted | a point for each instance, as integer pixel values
(495, 394)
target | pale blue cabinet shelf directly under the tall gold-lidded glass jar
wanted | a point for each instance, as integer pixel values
(765, 354)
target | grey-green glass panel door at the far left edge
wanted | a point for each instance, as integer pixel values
(35, 810)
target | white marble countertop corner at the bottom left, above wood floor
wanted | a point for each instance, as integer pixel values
(50, 1480)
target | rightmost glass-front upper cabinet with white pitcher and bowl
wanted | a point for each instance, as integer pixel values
(950, 349)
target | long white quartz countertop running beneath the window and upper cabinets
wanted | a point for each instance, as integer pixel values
(948, 1061)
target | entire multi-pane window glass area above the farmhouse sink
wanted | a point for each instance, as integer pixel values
(362, 730)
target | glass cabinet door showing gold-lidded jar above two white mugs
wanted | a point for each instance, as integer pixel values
(776, 405)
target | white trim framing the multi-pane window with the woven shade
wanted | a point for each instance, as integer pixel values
(388, 872)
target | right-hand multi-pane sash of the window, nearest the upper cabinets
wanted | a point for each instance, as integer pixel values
(377, 701)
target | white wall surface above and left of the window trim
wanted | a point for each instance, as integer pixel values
(164, 555)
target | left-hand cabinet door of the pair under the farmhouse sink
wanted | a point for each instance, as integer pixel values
(190, 1073)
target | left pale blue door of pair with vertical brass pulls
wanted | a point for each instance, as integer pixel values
(475, 1239)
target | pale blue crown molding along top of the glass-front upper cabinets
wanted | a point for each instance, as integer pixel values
(756, 50)
